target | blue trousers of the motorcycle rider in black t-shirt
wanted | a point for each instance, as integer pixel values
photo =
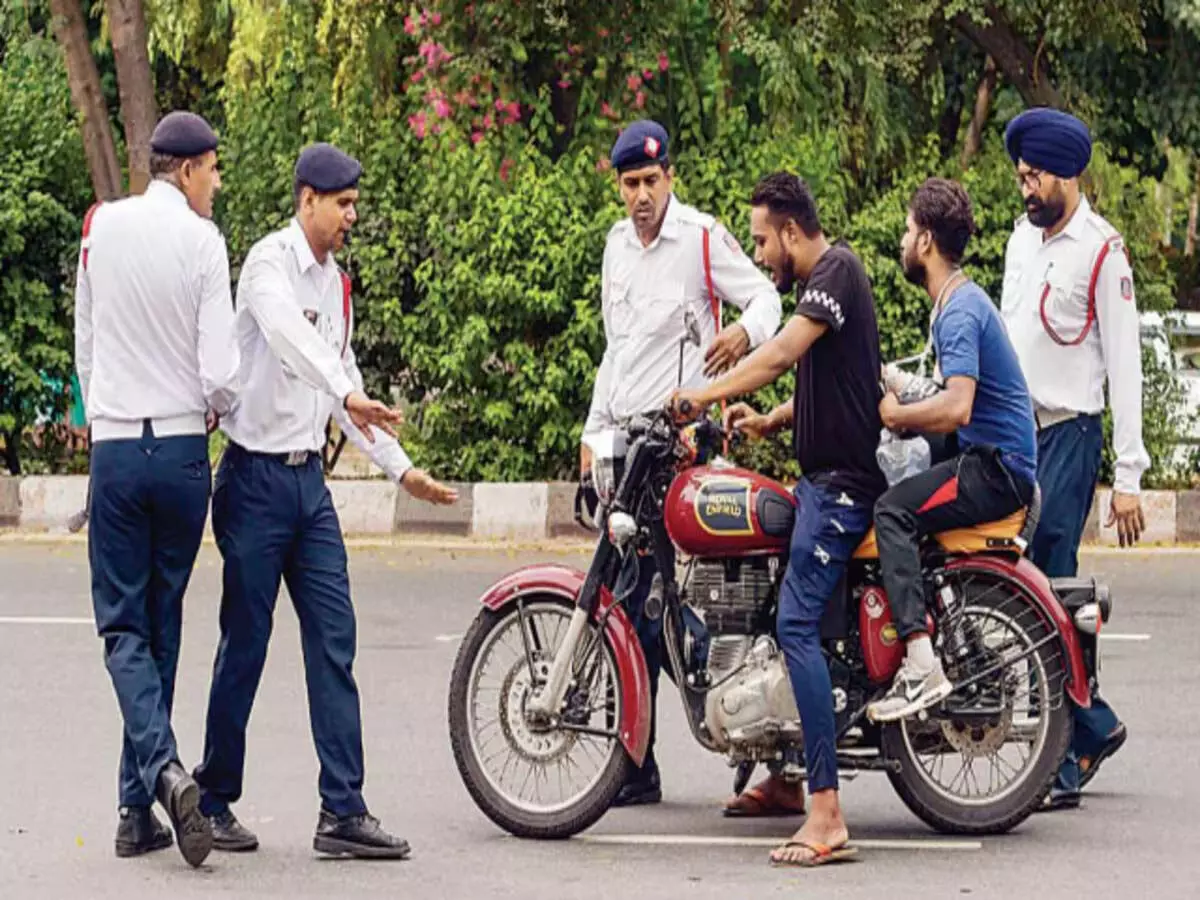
(830, 526)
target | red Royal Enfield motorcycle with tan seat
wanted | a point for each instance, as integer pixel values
(550, 700)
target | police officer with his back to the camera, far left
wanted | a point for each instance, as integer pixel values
(155, 352)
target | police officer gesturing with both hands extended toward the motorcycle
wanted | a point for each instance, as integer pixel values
(273, 514)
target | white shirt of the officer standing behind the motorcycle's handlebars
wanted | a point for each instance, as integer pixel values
(644, 296)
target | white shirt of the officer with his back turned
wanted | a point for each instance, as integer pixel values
(154, 317)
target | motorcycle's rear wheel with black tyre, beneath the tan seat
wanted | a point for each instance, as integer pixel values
(1046, 717)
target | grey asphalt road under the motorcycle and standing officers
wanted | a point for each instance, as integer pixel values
(59, 741)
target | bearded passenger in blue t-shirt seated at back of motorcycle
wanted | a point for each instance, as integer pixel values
(986, 405)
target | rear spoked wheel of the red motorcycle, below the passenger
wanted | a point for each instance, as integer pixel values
(985, 760)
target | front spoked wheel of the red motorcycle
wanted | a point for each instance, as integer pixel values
(536, 779)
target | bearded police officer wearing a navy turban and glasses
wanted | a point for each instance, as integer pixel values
(1069, 305)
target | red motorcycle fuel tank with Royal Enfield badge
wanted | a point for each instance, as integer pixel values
(727, 512)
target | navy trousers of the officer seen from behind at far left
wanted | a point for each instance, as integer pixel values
(149, 501)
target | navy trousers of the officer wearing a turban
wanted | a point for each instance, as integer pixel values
(1069, 469)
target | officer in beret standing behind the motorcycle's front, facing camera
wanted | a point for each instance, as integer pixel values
(665, 260)
